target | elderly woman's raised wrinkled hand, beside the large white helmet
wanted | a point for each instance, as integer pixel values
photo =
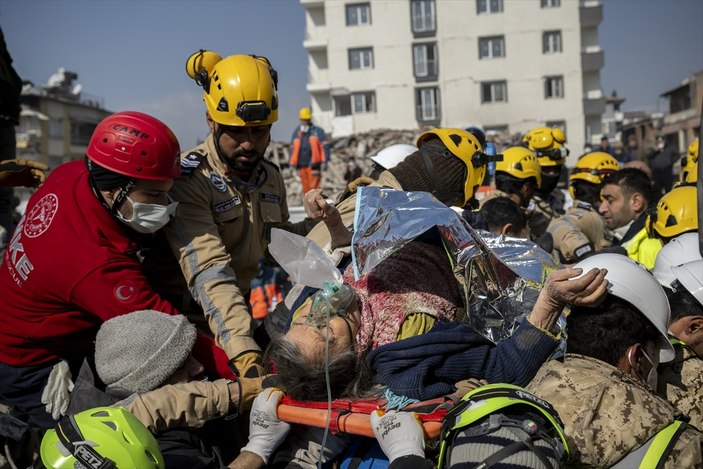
(561, 289)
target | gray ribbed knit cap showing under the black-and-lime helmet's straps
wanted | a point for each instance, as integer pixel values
(470, 452)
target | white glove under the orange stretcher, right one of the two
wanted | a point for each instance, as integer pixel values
(399, 433)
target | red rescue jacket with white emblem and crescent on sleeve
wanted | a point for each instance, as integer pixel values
(69, 266)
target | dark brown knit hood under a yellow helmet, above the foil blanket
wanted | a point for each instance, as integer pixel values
(445, 179)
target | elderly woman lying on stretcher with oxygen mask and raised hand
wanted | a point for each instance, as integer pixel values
(396, 326)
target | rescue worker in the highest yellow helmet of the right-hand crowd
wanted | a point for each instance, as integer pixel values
(548, 145)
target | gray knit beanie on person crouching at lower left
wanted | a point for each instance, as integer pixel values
(138, 351)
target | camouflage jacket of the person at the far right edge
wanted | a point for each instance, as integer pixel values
(681, 382)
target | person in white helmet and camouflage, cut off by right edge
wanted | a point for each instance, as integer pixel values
(679, 269)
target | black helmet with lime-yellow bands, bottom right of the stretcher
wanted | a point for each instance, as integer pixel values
(485, 410)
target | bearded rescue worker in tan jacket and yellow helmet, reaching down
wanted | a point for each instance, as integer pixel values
(229, 197)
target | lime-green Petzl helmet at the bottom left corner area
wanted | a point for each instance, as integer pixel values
(103, 437)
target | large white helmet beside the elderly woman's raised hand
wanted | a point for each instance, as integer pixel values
(630, 281)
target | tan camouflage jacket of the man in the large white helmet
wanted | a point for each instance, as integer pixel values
(607, 413)
